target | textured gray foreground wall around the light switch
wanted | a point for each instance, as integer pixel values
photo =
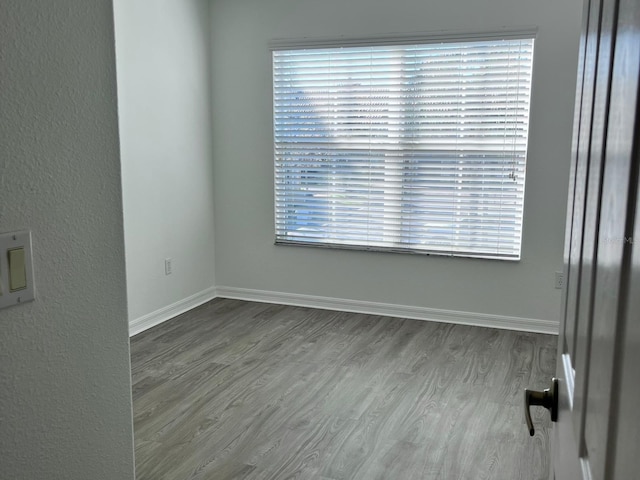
(65, 388)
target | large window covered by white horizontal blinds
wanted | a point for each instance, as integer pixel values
(416, 148)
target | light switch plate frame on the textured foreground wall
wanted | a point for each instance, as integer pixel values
(8, 242)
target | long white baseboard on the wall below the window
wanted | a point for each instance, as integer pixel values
(392, 310)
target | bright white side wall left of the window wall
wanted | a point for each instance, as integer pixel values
(165, 128)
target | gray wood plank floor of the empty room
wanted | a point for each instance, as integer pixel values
(244, 390)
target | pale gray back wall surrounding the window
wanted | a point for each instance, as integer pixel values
(242, 137)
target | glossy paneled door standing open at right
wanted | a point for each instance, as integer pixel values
(598, 370)
